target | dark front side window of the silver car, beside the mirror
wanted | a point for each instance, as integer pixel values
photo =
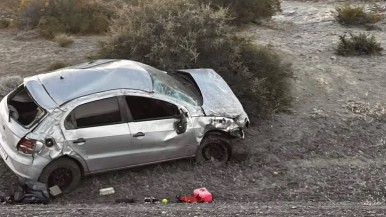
(143, 108)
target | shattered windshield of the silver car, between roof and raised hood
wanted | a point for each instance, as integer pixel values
(167, 85)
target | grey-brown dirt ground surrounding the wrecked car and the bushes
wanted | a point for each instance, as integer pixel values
(324, 158)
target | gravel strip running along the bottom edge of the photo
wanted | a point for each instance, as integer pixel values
(215, 209)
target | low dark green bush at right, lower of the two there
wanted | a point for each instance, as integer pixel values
(360, 44)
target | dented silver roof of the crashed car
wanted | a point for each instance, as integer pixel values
(70, 83)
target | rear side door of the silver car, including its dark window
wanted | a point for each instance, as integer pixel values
(99, 133)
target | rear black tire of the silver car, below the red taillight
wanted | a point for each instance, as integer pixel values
(63, 172)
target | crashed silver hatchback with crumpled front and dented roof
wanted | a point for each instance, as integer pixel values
(112, 114)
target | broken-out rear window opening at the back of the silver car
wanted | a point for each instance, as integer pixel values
(23, 108)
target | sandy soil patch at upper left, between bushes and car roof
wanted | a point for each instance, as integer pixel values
(25, 53)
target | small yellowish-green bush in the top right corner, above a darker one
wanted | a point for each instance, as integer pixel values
(355, 15)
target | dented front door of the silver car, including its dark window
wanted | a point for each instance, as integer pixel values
(153, 131)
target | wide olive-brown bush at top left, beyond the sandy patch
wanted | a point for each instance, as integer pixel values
(70, 16)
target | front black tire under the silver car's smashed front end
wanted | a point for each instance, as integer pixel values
(214, 149)
